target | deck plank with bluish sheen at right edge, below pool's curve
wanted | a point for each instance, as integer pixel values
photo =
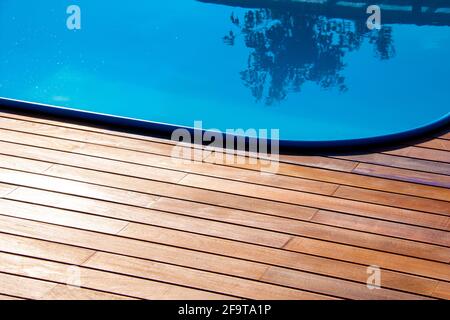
(404, 175)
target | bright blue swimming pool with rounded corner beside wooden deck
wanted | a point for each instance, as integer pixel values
(319, 75)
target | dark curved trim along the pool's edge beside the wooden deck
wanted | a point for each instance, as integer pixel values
(165, 130)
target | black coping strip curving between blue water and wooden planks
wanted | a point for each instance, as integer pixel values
(162, 130)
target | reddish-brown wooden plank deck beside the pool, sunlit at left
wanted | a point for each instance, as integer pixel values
(113, 213)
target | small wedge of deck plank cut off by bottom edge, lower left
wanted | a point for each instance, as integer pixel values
(64, 292)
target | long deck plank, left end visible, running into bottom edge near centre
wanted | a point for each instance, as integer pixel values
(248, 289)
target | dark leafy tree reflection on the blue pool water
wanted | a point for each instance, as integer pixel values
(289, 49)
